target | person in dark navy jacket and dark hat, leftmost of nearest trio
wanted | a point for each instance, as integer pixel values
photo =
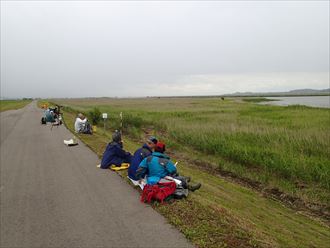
(114, 154)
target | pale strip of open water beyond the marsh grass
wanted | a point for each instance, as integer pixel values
(312, 101)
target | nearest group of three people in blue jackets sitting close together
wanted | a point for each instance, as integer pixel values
(148, 163)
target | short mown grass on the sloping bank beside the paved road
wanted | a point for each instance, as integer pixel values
(222, 213)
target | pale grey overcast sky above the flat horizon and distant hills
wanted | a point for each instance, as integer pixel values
(108, 48)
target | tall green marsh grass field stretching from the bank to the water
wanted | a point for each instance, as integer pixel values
(277, 146)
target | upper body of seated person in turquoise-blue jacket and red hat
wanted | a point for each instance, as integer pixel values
(156, 166)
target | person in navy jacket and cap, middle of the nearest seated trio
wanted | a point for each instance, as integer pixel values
(139, 155)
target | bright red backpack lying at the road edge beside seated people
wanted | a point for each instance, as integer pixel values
(157, 192)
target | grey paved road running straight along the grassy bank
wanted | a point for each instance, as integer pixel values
(54, 196)
